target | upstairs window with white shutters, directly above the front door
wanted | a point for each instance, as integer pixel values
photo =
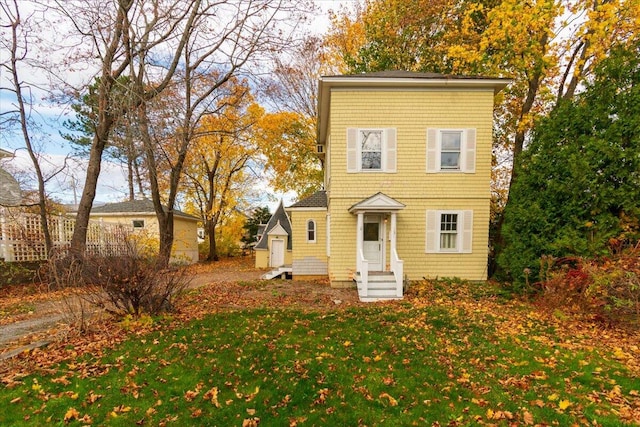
(371, 150)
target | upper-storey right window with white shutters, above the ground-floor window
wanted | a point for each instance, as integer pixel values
(451, 150)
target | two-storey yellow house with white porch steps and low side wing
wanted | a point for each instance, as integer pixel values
(407, 160)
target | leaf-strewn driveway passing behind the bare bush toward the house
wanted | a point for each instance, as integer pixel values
(31, 316)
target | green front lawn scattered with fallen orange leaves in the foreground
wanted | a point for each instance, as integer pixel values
(434, 359)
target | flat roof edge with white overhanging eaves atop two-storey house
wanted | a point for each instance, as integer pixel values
(396, 80)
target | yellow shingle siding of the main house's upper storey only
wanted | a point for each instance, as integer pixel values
(411, 113)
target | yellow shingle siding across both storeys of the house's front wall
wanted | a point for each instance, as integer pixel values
(411, 113)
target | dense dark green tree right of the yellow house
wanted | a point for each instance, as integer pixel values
(579, 179)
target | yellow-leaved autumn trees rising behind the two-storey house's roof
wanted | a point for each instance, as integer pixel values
(547, 46)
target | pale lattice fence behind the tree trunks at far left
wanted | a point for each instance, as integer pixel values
(22, 239)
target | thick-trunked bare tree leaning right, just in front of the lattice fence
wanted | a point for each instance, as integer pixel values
(117, 36)
